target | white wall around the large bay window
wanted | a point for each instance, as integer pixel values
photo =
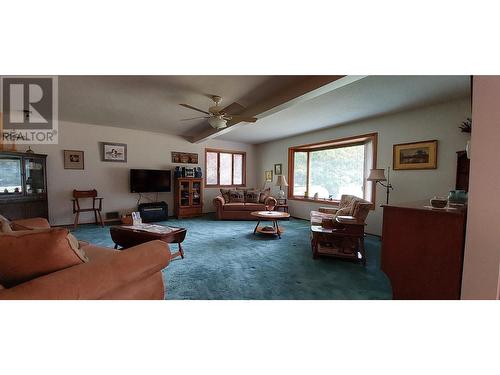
(435, 122)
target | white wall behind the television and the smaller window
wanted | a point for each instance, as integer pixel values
(145, 150)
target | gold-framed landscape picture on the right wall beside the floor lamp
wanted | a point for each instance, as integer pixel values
(416, 155)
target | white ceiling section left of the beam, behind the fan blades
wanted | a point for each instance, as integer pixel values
(152, 102)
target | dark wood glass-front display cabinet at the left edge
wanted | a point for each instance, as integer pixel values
(23, 185)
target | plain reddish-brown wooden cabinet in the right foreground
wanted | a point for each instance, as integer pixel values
(422, 250)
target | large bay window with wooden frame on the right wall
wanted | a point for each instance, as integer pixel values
(331, 169)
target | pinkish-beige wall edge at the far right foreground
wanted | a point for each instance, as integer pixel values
(482, 249)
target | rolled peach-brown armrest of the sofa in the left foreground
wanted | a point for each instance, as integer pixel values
(97, 279)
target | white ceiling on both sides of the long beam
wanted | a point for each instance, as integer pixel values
(152, 102)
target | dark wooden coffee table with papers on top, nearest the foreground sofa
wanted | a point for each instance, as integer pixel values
(128, 236)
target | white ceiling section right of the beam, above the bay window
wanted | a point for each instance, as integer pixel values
(369, 97)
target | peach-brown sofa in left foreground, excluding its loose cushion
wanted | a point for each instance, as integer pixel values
(134, 273)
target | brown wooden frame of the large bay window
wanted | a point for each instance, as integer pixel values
(327, 145)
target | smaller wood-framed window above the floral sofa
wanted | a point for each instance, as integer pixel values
(225, 168)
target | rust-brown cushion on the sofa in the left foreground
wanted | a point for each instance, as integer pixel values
(25, 255)
